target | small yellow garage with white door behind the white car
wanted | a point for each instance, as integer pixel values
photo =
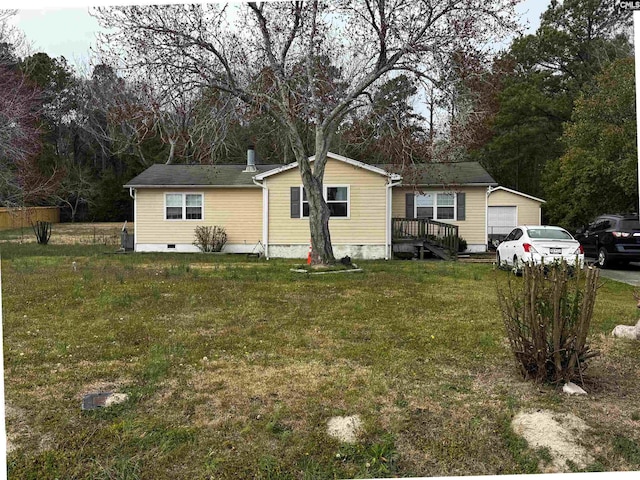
(507, 209)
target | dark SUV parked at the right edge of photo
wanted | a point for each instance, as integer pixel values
(611, 238)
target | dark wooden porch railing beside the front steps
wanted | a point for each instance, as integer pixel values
(443, 235)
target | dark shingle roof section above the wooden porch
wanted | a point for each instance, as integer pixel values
(459, 173)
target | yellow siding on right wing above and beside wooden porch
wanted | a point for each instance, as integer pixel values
(473, 229)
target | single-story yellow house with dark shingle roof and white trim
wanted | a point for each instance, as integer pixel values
(263, 207)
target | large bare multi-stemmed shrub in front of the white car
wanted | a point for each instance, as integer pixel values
(547, 320)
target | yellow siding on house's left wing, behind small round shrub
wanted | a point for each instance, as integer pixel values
(238, 210)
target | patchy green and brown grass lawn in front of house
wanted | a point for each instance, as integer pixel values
(233, 367)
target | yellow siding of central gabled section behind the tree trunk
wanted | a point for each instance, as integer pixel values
(367, 196)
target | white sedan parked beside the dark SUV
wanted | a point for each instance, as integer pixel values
(538, 244)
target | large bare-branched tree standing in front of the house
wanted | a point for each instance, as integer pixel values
(281, 57)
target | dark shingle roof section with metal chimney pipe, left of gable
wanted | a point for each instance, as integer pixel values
(161, 175)
